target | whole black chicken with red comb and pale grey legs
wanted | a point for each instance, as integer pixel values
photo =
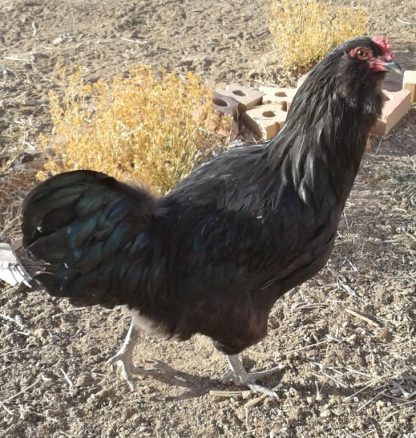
(215, 253)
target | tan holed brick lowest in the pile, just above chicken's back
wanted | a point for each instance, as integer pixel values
(265, 120)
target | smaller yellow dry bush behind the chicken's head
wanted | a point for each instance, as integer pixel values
(305, 30)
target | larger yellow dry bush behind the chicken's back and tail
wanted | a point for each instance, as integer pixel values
(146, 127)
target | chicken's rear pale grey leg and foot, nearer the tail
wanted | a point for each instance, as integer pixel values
(125, 356)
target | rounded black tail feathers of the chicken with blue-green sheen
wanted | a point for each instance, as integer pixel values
(84, 224)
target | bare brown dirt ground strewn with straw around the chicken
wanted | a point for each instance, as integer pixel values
(346, 337)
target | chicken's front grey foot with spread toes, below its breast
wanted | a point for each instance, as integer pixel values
(239, 376)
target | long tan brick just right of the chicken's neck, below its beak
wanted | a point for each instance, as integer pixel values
(396, 105)
